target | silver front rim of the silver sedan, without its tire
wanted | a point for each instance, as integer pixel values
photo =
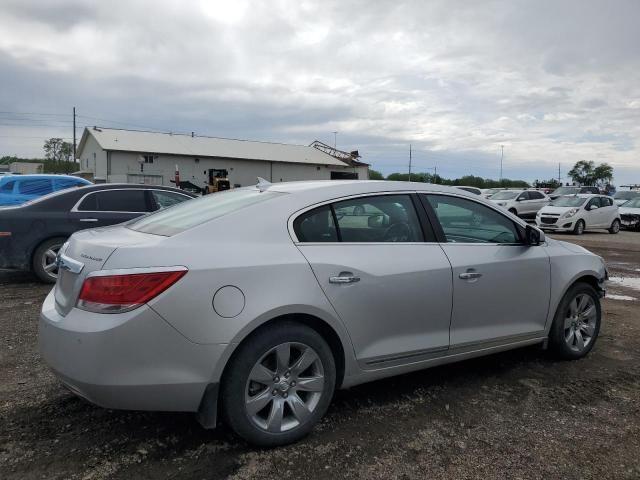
(580, 322)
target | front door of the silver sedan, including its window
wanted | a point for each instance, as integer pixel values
(501, 286)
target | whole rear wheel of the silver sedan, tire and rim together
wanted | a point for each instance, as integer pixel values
(278, 385)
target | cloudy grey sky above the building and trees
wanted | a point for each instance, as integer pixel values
(553, 81)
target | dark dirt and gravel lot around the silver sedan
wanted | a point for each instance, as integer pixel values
(513, 415)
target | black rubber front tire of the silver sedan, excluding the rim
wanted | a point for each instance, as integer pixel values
(557, 343)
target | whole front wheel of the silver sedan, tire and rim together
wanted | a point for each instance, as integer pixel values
(576, 324)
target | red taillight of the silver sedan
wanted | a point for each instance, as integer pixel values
(121, 293)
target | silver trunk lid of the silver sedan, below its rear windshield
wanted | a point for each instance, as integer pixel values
(88, 251)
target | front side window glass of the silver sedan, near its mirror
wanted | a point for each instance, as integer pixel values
(466, 221)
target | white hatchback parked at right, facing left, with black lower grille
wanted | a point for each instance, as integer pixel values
(577, 213)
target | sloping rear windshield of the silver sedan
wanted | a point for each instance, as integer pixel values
(186, 215)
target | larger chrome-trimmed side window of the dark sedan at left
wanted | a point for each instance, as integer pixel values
(109, 207)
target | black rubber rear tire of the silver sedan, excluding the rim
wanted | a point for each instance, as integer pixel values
(237, 371)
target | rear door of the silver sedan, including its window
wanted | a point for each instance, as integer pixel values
(391, 289)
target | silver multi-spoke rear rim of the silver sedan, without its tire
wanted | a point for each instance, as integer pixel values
(284, 387)
